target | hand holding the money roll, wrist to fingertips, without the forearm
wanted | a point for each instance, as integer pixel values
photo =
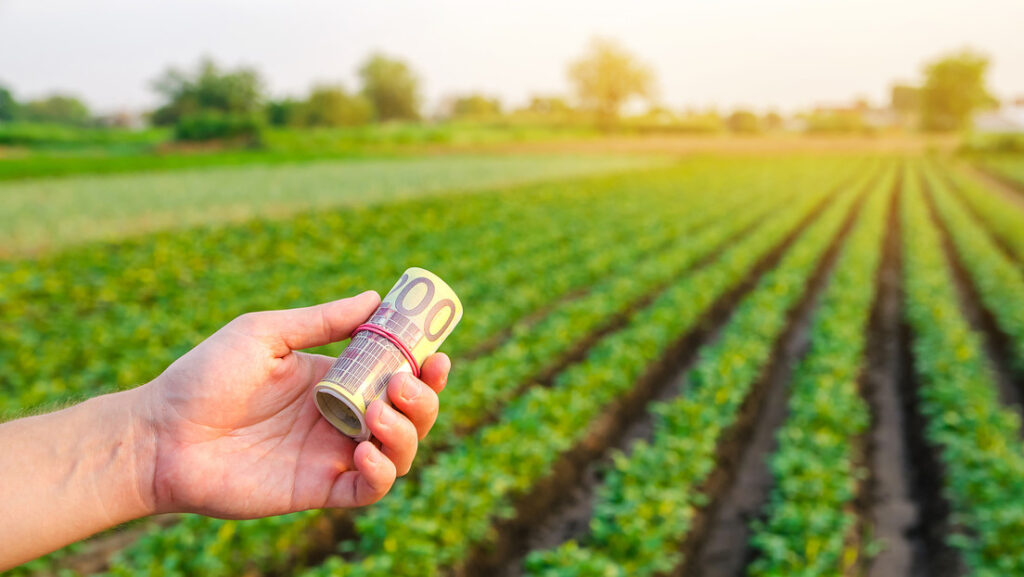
(236, 433)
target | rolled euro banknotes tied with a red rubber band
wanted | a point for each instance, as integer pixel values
(412, 322)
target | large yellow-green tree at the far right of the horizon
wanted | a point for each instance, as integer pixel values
(955, 89)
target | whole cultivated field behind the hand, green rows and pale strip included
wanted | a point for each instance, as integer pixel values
(717, 365)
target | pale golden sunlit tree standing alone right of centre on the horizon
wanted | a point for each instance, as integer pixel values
(607, 77)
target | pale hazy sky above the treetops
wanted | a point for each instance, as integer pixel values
(765, 55)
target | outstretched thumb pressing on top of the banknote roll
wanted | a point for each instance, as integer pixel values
(294, 329)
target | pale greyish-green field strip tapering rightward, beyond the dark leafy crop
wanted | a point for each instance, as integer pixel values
(46, 215)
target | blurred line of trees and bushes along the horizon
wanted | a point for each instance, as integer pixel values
(214, 103)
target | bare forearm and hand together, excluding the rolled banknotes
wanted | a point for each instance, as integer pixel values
(230, 430)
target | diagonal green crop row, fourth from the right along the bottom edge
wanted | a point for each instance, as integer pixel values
(422, 529)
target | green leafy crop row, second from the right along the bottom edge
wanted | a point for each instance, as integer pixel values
(817, 470)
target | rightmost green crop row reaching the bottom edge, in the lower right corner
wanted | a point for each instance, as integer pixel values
(978, 441)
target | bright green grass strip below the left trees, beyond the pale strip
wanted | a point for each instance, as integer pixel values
(33, 151)
